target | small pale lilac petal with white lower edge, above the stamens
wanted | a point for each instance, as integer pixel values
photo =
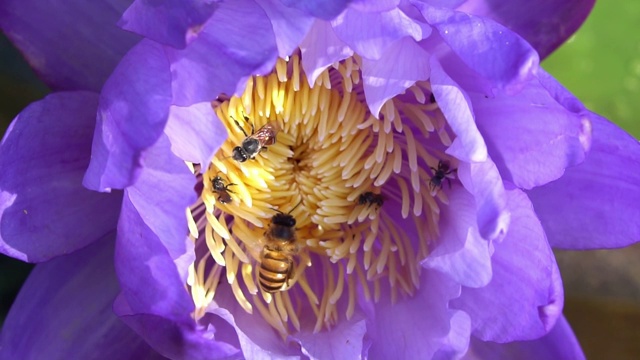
(321, 48)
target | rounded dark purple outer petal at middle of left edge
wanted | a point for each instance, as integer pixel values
(44, 210)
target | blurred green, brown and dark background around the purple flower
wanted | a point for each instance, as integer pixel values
(601, 66)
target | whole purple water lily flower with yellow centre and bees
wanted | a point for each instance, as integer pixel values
(411, 167)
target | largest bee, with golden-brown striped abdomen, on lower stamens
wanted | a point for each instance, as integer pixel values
(277, 263)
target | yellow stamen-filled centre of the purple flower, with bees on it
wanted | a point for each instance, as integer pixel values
(302, 209)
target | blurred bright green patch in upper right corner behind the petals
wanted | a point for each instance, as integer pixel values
(600, 64)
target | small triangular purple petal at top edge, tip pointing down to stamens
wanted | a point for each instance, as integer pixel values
(290, 25)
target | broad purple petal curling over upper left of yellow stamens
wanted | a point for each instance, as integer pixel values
(235, 43)
